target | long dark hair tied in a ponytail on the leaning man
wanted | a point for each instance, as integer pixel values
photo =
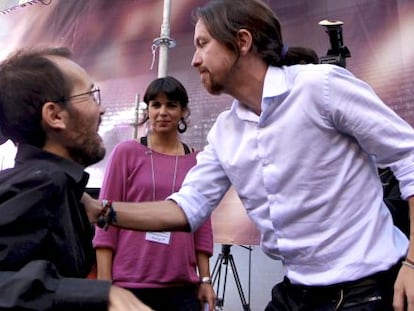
(224, 18)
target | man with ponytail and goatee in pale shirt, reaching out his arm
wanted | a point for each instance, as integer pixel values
(300, 144)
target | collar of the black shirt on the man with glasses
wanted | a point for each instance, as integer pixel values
(27, 153)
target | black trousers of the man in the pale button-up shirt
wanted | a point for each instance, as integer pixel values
(374, 292)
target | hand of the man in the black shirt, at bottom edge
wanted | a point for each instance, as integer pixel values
(123, 300)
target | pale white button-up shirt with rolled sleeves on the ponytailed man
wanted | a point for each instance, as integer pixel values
(306, 172)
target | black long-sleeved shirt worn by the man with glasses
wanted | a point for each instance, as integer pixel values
(45, 236)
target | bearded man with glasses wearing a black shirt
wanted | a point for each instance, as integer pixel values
(50, 108)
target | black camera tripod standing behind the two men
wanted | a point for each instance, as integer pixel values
(223, 260)
